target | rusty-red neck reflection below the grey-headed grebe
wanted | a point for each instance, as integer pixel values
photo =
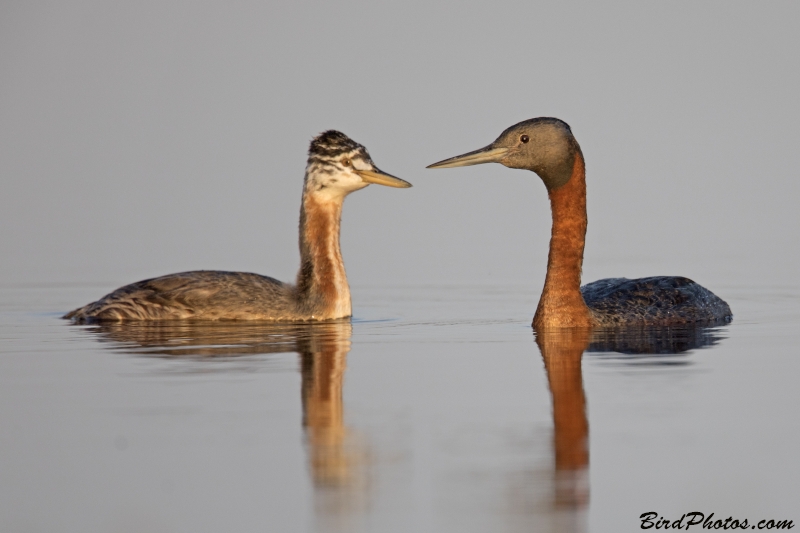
(562, 351)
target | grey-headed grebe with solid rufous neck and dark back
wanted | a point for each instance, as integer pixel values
(547, 147)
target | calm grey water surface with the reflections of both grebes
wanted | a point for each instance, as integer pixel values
(436, 409)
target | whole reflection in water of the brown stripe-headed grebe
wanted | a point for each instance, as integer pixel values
(337, 457)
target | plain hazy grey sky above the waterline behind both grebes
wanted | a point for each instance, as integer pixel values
(144, 138)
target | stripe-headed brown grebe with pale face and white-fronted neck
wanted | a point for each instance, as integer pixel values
(337, 166)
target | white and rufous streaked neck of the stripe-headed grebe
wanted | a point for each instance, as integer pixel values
(322, 282)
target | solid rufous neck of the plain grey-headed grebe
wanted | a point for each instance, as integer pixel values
(561, 304)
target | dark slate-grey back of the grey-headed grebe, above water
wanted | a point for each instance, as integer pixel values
(653, 301)
